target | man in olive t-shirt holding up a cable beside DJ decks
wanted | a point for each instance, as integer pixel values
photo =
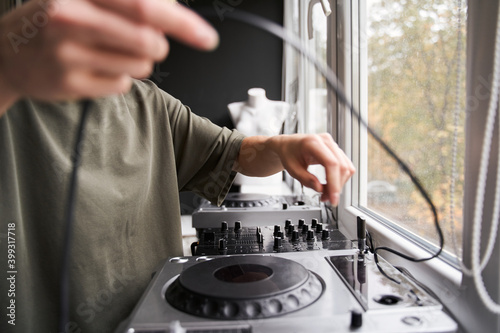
(142, 147)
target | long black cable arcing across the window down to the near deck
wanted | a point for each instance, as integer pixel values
(333, 82)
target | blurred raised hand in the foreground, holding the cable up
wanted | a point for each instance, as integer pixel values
(68, 49)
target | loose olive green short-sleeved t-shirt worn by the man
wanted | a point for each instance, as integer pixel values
(140, 149)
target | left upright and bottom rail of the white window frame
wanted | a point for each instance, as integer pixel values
(353, 139)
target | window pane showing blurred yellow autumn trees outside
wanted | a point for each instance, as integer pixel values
(411, 66)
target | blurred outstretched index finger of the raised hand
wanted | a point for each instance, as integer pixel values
(171, 19)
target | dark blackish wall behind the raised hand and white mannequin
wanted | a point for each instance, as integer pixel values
(246, 58)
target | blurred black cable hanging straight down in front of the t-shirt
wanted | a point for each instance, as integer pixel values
(68, 219)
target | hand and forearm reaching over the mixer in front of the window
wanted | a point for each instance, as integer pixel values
(263, 156)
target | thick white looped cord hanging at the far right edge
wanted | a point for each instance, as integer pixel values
(481, 185)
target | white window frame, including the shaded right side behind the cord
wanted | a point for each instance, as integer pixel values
(457, 292)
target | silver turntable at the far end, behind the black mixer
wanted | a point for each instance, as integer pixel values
(256, 209)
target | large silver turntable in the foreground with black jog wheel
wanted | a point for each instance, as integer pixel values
(317, 291)
